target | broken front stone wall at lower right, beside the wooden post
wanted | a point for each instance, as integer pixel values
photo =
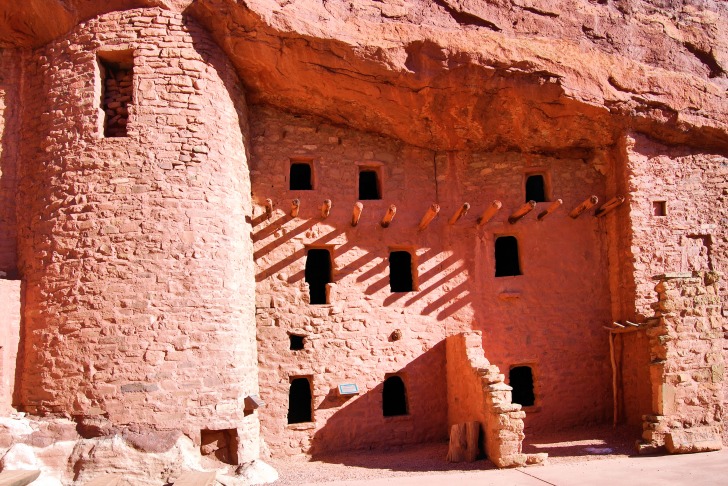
(687, 366)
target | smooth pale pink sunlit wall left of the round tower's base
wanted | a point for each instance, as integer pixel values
(9, 339)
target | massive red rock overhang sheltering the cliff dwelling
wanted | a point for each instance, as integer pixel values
(532, 75)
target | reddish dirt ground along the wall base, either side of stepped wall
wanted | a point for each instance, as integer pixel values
(568, 446)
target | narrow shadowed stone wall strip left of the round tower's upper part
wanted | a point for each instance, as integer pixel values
(9, 142)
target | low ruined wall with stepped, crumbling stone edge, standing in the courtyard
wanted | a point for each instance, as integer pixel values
(477, 392)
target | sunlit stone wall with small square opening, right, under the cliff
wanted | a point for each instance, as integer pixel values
(693, 234)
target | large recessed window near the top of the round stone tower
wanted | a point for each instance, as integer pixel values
(116, 68)
